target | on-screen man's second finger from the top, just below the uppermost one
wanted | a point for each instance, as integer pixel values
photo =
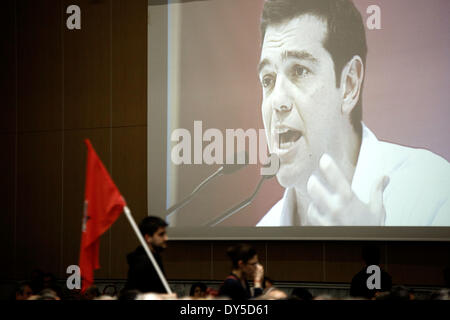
(323, 199)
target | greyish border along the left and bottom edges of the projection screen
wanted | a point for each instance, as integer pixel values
(157, 187)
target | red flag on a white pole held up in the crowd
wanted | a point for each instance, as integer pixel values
(103, 204)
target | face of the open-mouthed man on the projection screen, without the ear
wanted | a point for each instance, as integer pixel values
(301, 104)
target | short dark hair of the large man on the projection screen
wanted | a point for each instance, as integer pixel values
(345, 38)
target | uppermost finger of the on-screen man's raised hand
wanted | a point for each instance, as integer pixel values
(334, 177)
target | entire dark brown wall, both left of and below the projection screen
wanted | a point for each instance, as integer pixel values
(60, 87)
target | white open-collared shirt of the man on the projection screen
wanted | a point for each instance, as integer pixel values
(417, 194)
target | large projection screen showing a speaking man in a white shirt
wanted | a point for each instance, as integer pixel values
(329, 122)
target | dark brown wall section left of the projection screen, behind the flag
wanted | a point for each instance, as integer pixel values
(60, 87)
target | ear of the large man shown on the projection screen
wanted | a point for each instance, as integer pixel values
(351, 82)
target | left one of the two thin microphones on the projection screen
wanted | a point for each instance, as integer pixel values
(231, 166)
